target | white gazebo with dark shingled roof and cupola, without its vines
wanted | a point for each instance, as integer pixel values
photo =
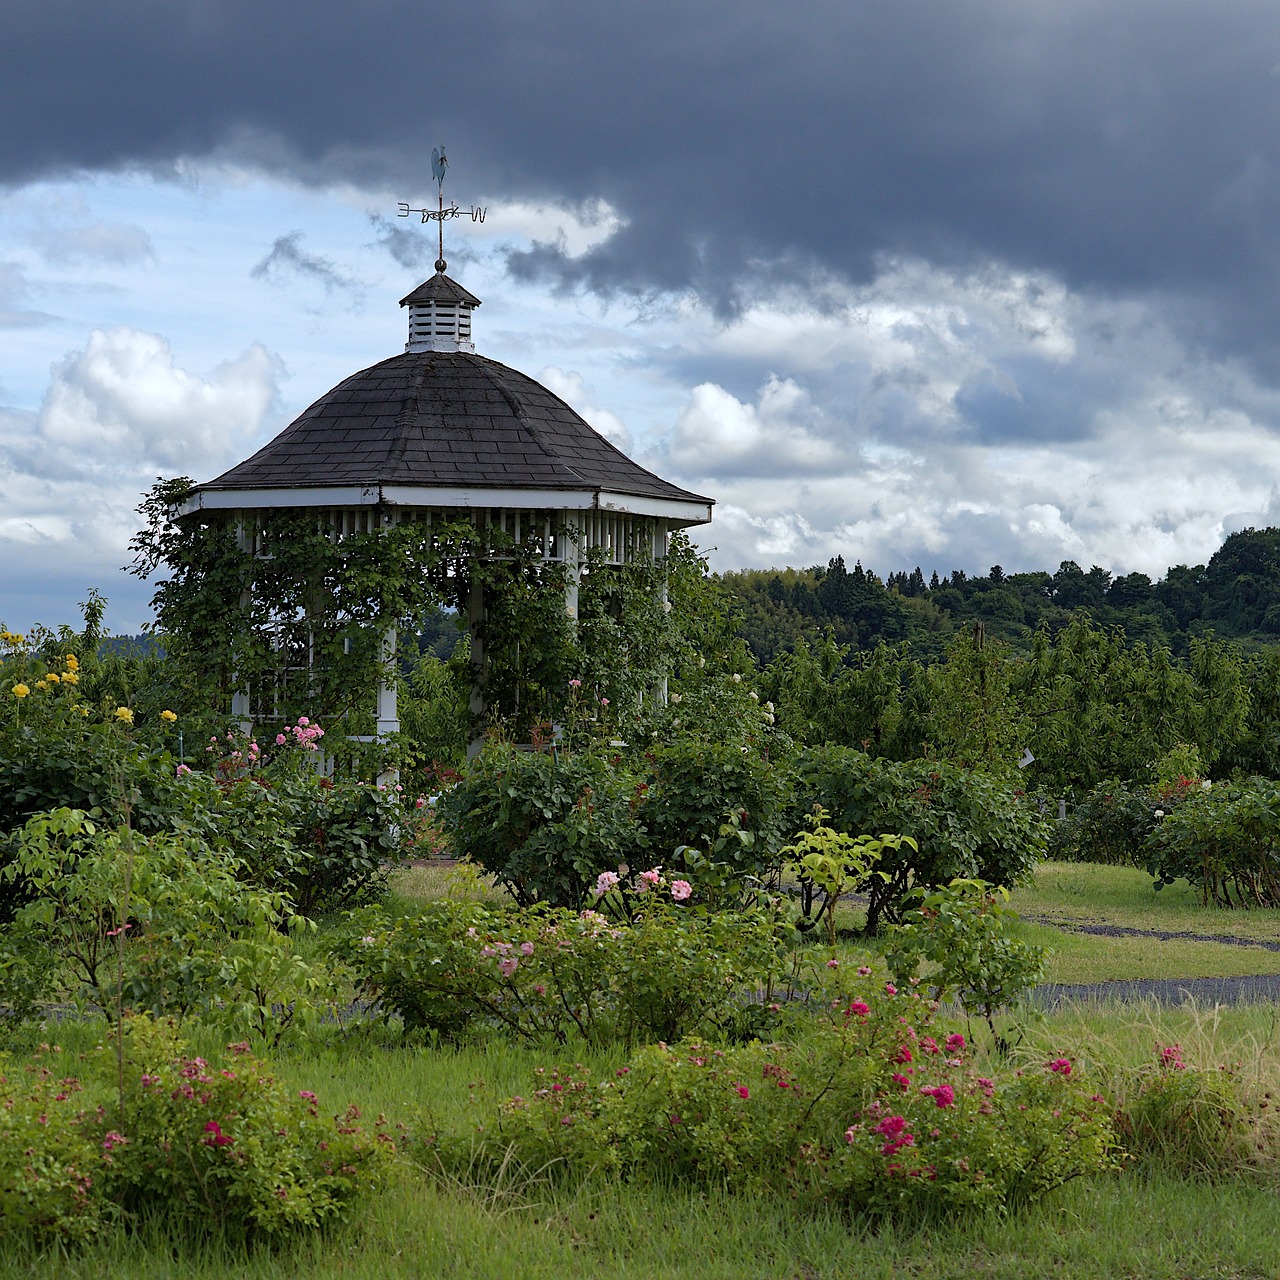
(440, 435)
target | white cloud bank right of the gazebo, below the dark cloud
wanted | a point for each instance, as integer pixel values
(956, 422)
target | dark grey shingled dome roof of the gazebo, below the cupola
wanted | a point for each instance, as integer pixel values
(449, 420)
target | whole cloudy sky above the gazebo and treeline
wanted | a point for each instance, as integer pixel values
(921, 284)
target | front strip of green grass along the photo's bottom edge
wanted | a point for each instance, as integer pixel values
(1126, 1229)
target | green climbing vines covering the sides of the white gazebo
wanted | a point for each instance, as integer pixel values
(300, 620)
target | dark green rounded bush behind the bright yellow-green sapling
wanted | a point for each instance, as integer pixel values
(962, 824)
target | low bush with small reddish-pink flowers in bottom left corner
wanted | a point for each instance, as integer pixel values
(216, 1142)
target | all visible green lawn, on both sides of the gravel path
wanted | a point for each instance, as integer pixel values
(1137, 1223)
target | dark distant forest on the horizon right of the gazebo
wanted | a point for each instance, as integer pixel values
(1236, 596)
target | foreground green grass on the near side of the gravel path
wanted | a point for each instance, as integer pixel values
(1126, 1226)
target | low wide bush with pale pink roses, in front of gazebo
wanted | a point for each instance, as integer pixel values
(548, 973)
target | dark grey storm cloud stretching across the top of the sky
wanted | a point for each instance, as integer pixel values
(1123, 148)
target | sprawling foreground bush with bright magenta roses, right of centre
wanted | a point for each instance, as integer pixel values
(868, 1110)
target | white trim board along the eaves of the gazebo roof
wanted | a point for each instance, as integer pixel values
(688, 513)
